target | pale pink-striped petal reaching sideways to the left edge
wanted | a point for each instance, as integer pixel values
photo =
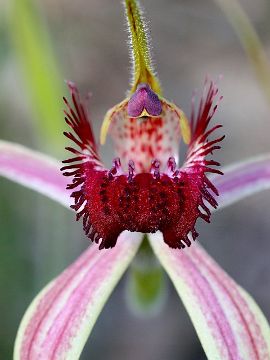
(33, 170)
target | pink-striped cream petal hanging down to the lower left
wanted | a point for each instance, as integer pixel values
(59, 320)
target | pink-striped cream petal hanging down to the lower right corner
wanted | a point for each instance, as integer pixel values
(228, 322)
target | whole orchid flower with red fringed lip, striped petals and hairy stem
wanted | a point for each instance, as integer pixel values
(144, 192)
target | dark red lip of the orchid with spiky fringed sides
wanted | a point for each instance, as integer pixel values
(114, 200)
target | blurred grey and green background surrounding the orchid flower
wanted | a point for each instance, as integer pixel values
(87, 44)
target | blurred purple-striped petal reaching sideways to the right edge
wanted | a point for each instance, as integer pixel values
(243, 179)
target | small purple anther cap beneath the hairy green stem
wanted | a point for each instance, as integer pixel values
(144, 98)
